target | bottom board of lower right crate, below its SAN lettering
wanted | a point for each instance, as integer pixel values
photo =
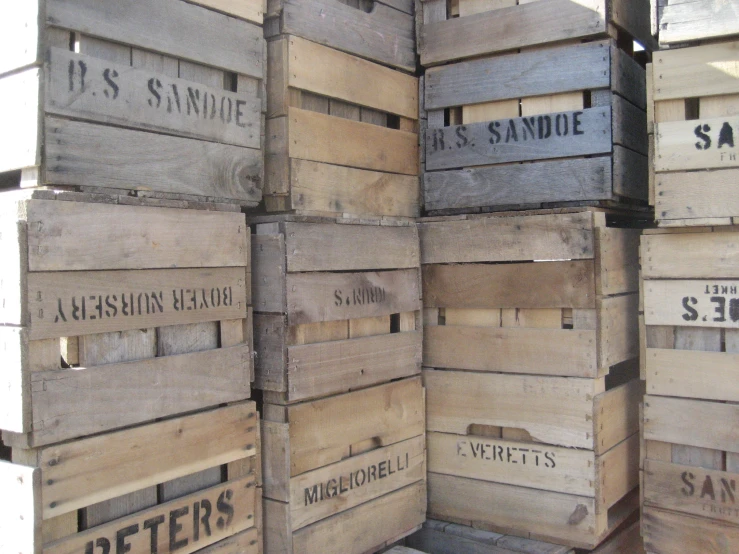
(667, 532)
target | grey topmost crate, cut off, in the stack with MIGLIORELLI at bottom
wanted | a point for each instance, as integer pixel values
(378, 30)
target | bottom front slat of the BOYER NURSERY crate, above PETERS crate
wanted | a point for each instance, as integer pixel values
(158, 387)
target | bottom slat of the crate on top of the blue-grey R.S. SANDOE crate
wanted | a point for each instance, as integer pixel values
(515, 27)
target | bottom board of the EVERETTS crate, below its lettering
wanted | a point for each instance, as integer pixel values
(541, 515)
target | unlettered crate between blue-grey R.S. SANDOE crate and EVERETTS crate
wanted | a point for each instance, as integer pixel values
(550, 292)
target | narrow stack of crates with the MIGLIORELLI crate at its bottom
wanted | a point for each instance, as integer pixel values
(337, 280)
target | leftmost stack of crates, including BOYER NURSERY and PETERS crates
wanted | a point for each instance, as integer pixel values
(136, 138)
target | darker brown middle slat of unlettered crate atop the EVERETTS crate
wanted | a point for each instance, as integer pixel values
(528, 285)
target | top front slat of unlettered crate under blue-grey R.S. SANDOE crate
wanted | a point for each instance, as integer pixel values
(509, 239)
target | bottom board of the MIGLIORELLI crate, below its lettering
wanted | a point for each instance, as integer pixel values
(359, 530)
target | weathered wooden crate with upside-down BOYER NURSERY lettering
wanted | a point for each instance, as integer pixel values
(114, 315)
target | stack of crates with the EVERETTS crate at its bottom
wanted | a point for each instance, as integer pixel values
(531, 328)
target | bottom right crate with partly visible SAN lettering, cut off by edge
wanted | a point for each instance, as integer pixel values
(691, 468)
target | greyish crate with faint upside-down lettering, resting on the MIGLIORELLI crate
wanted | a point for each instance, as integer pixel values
(337, 307)
